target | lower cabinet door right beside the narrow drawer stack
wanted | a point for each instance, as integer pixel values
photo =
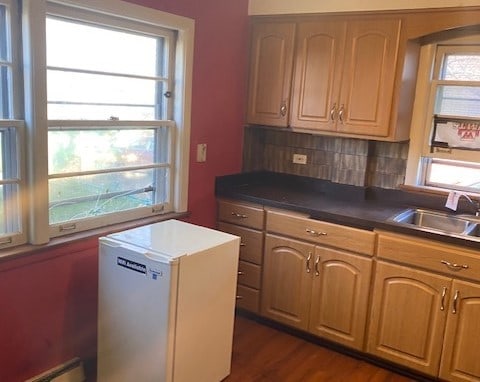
(287, 281)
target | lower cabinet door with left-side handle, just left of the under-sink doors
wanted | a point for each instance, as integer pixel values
(340, 296)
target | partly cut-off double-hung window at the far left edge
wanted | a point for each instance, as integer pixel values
(12, 223)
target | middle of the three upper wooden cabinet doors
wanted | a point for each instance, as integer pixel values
(317, 77)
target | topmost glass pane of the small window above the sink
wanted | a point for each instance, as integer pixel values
(459, 67)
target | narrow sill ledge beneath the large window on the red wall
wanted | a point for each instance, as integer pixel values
(27, 250)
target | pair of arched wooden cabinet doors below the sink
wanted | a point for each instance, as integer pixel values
(425, 321)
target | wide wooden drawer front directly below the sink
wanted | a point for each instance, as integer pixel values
(429, 254)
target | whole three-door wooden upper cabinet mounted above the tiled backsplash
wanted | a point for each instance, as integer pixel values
(350, 76)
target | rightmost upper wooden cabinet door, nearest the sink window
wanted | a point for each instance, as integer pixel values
(368, 76)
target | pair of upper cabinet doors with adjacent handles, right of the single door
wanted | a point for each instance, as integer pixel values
(344, 76)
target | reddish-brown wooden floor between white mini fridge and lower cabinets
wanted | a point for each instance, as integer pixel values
(261, 353)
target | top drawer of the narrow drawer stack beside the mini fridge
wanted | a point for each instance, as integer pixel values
(248, 215)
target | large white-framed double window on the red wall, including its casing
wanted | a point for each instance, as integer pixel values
(102, 134)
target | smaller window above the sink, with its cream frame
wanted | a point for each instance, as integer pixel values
(447, 155)
